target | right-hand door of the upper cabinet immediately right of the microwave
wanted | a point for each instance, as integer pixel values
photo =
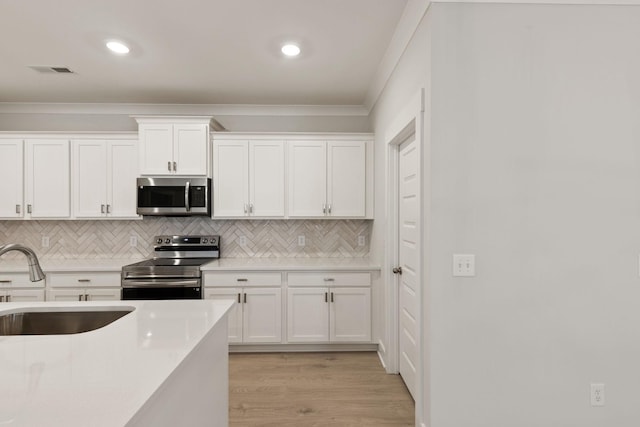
(266, 178)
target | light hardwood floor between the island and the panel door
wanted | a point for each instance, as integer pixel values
(315, 389)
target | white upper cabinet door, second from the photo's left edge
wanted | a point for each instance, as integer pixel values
(47, 179)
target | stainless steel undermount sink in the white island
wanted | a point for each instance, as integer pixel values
(58, 322)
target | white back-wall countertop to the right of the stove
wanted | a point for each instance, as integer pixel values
(291, 264)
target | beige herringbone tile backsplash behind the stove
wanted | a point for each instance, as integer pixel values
(110, 239)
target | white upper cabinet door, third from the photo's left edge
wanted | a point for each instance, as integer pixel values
(89, 178)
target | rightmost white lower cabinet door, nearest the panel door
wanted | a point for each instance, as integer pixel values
(350, 314)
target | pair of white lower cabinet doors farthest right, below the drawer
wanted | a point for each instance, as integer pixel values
(329, 314)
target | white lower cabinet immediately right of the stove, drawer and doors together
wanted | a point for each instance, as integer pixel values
(257, 315)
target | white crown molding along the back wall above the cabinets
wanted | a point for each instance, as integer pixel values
(182, 109)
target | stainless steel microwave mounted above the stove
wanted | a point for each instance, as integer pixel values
(174, 196)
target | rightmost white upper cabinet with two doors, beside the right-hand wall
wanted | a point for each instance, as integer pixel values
(327, 179)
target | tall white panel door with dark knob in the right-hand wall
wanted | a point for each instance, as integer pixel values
(408, 246)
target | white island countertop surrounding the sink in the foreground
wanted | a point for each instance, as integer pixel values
(102, 377)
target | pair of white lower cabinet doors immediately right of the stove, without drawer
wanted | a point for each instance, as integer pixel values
(257, 315)
